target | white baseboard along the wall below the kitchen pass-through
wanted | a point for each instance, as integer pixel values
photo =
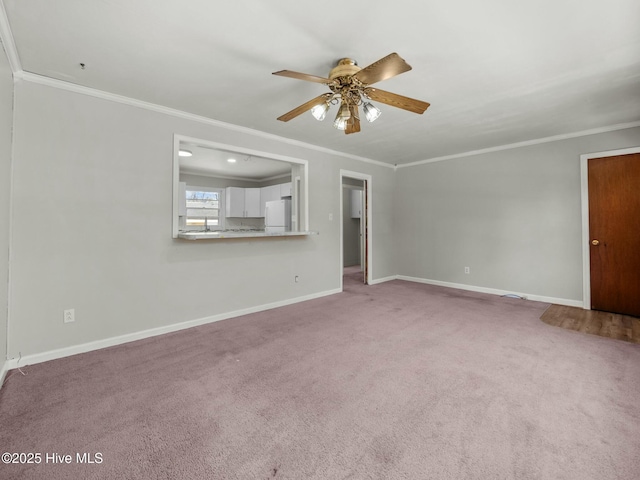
(132, 337)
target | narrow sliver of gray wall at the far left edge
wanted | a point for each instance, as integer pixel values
(6, 120)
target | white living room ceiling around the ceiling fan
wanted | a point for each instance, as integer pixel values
(495, 72)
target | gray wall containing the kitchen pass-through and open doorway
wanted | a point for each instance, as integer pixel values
(98, 176)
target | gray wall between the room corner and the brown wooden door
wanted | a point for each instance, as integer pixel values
(513, 217)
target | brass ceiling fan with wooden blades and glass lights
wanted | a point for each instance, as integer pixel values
(350, 87)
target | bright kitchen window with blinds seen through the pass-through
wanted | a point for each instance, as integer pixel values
(204, 208)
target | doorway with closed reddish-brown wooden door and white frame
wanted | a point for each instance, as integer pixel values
(611, 220)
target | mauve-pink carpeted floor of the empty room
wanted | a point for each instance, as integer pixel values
(391, 381)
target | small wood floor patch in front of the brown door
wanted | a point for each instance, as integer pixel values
(604, 324)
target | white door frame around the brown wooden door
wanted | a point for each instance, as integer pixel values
(584, 187)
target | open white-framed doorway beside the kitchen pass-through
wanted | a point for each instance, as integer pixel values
(355, 227)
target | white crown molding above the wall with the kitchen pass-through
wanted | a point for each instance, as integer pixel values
(72, 87)
